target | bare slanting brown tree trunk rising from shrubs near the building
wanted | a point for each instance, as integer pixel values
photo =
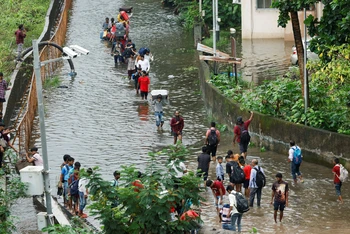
(299, 46)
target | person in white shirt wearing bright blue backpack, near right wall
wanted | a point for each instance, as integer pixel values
(295, 159)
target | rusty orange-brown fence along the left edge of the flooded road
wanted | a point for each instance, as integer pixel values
(25, 125)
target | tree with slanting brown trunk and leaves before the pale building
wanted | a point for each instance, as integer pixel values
(289, 11)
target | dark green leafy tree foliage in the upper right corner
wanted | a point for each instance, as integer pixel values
(333, 29)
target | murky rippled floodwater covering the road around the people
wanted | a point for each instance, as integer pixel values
(100, 121)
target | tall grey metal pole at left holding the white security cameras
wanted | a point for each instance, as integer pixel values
(39, 93)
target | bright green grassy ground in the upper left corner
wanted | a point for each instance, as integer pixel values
(28, 12)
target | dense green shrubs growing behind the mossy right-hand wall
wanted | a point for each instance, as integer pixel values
(282, 98)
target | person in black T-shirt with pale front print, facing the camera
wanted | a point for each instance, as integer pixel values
(279, 197)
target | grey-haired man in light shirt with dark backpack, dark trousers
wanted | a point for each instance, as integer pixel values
(256, 183)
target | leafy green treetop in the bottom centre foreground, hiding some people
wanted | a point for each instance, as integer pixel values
(130, 209)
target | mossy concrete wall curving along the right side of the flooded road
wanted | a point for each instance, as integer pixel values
(318, 146)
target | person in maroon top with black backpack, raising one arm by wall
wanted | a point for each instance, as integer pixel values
(241, 134)
